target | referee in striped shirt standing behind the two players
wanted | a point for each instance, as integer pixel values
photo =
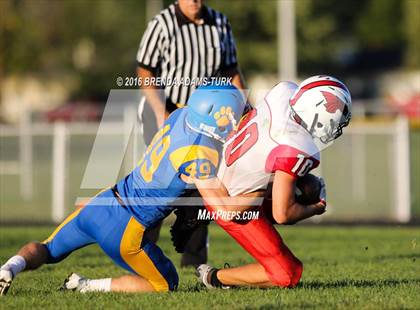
(185, 42)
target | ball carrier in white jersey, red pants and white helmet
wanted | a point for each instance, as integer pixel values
(279, 140)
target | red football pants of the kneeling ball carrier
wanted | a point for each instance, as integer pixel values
(260, 239)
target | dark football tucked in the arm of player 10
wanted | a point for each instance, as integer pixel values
(308, 189)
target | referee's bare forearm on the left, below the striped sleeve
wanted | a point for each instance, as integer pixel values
(153, 94)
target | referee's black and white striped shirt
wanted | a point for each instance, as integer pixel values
(174, 47)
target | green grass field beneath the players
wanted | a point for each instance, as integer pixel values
(344, 268)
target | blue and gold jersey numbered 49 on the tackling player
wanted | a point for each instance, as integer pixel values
(156, 182)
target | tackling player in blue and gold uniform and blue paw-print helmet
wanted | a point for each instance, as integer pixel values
(185, 150)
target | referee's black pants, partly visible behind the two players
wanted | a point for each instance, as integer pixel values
(195, 252)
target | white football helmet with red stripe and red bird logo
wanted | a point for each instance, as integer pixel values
(322, 105)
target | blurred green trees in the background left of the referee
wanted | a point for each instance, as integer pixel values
(44, 37)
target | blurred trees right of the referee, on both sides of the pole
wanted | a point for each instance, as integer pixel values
(333, 36)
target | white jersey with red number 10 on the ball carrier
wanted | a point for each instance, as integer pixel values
(267, 140)
